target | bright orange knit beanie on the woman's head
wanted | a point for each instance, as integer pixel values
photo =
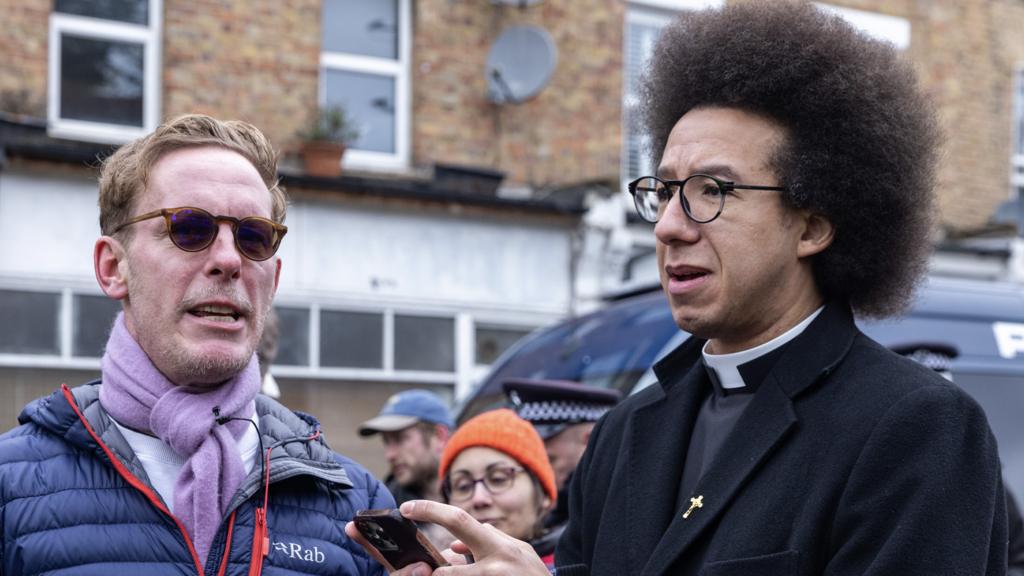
(503, 431)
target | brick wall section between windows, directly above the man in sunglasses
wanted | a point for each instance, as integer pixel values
(251, 60)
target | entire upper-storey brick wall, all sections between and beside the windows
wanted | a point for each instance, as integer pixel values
(259, 60)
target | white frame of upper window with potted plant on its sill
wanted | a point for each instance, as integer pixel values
(397, 69)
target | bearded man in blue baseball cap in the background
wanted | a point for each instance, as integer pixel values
(415, 426)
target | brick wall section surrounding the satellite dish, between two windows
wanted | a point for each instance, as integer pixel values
(570, 133)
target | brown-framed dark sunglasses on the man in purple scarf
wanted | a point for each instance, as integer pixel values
(194, 230)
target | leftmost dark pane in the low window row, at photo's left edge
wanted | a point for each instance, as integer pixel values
(30, 322)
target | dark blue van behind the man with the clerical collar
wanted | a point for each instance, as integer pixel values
(971, 332)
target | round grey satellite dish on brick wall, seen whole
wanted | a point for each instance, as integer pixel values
(521, 64)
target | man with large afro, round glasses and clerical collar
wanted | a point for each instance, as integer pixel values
(795, 189)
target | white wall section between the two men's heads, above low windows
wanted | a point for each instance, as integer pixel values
(428, 259)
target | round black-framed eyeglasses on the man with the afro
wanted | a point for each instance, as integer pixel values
(703, 196)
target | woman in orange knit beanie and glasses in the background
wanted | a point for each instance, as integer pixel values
(481, 471)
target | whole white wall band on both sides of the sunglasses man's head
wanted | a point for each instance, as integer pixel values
(330, 252)
